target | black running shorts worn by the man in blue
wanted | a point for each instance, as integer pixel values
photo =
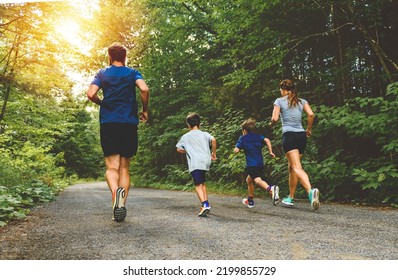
(119, 139)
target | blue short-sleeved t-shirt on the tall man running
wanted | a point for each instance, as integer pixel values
(119, 104)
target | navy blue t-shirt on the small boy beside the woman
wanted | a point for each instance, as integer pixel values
(252, 145)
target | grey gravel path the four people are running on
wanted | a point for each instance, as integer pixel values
(163, 225)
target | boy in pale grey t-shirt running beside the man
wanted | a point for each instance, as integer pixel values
(196, 145)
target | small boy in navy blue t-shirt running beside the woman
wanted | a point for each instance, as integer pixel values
(252, 144)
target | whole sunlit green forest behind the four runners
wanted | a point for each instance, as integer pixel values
(222, 59)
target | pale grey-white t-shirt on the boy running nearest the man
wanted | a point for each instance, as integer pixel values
(196, 143)
